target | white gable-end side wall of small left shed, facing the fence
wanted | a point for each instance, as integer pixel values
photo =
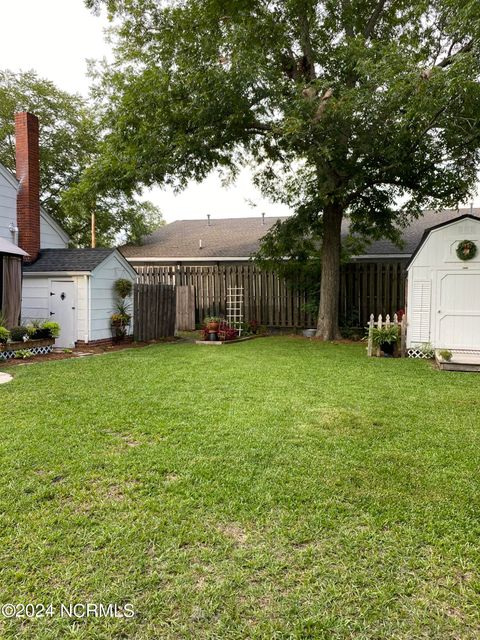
(102, 295)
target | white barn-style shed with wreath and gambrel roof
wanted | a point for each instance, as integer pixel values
(443, 308)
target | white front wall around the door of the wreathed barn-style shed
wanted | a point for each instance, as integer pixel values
(437, 255)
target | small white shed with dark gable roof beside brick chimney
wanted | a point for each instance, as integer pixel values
(74, 287)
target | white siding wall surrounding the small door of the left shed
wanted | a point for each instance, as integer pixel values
(36, 300)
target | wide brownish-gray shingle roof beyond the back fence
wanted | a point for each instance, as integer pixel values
(240, 237)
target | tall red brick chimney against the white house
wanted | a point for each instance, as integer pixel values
(28, 174)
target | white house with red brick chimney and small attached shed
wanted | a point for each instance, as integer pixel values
(72, 286)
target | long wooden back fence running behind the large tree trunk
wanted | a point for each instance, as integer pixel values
(271, 300)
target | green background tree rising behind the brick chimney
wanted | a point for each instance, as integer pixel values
(70, 139)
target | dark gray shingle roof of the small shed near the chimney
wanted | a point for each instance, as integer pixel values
(56, 260)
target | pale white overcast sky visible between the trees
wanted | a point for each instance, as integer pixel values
(57, 37)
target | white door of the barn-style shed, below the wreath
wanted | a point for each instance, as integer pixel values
(458, 310)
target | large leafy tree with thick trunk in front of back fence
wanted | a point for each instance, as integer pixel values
(343, 107)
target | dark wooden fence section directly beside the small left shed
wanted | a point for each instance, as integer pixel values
(155, 310)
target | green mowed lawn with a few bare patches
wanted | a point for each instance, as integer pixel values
(277, 488)
